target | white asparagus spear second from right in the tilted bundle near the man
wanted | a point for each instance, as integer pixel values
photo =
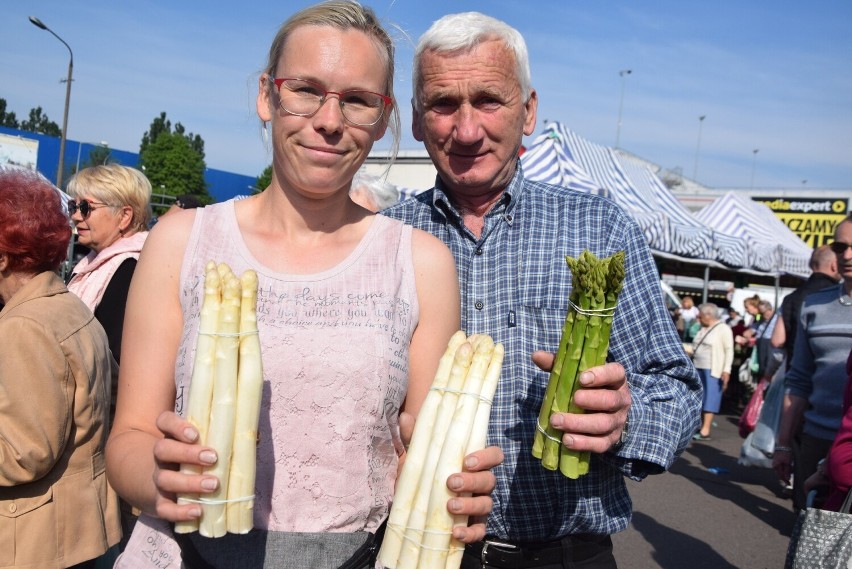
(439, 521)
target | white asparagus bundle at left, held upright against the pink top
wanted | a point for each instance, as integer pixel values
(224, 400)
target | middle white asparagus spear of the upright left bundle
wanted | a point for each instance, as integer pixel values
(221, 431)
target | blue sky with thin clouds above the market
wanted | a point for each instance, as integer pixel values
(769, 75)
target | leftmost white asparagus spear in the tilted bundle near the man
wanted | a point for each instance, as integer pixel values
(409, 478)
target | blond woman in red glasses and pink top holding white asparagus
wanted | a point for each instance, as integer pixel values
(354, 312)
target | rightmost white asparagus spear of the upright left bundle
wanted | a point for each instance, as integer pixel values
(240, 507)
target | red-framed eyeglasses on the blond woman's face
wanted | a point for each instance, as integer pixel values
(304, 98)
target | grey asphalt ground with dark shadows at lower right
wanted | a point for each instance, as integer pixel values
(691, 518)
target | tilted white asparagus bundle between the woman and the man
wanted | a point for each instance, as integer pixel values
(452, 423)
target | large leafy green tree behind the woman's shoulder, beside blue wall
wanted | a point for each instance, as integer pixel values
(173, 160)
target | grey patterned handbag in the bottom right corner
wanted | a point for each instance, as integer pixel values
(821, 539)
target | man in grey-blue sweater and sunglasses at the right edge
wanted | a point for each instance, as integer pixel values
(816, 379)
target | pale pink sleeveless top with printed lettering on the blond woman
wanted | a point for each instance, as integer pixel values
(335, 367)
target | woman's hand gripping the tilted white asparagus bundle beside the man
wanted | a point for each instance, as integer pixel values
(473, 485)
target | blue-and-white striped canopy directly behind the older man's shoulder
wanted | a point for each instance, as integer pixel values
(559, 156)
